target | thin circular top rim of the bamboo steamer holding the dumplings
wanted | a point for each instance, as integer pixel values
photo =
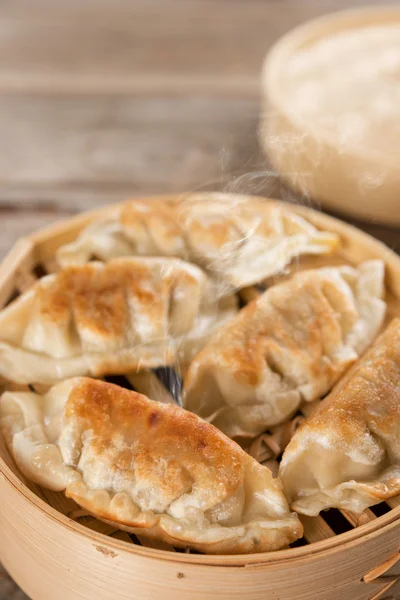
(349, 539)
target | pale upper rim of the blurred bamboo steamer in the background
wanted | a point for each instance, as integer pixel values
(274, 68)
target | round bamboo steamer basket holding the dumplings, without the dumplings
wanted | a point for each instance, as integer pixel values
(53, 550)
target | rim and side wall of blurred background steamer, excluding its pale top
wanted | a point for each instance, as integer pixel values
(360, 182)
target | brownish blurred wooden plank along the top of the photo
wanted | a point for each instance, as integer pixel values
(142, 46)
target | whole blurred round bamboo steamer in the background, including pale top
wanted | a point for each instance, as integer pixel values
(331, 112)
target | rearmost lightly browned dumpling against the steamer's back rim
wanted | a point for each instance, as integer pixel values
(239, 240)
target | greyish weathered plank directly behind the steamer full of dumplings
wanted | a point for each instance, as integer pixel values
(74, 153)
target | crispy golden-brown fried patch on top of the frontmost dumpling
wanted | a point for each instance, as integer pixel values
(160, 435)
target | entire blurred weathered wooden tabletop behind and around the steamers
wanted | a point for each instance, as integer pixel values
(105, 99)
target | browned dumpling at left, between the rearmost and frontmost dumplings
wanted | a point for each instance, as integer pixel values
(115, 317)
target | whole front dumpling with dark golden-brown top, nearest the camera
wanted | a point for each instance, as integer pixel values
(150, 468)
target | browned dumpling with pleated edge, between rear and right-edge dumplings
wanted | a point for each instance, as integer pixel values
(290, 345)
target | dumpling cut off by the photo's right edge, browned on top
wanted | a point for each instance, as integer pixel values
(347, 454)
